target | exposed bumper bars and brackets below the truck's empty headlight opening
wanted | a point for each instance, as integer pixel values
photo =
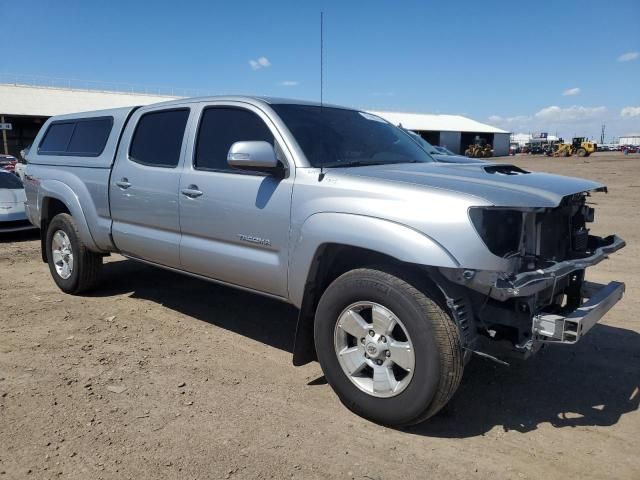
(527, 296)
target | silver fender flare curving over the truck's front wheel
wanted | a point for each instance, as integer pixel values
(382, 236)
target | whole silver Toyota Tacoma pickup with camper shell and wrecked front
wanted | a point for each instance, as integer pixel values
(401, 266)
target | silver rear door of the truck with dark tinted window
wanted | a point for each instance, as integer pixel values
(144, 185)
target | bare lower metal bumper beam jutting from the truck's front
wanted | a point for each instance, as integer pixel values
(553, 328)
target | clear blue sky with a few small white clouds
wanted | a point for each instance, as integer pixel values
(565, 66)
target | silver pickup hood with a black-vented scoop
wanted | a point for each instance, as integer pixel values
(499, 184)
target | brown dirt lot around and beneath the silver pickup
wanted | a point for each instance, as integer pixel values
(162, 376)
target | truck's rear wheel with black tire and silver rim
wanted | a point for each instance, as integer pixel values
(74, 267)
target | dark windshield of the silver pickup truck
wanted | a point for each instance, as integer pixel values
(337, 137)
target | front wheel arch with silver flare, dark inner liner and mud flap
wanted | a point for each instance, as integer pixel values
(356, 241)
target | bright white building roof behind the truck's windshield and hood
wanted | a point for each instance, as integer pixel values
(434, 122)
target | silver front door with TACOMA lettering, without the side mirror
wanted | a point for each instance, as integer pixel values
(235, 225)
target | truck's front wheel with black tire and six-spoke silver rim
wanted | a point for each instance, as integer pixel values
(386, 347)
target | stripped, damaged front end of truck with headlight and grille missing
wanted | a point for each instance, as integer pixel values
(542, 297)
